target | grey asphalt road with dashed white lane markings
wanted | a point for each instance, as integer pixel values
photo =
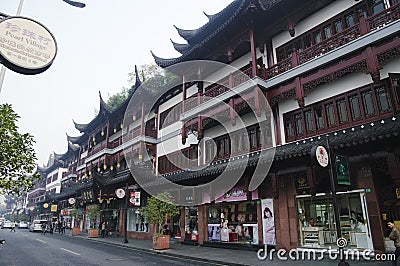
(26, 248)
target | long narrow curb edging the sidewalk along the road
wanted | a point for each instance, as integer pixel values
(162, 253)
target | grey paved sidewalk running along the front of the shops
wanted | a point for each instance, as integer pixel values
(216, 255)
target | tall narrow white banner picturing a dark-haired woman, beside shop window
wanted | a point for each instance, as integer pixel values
(267, 207)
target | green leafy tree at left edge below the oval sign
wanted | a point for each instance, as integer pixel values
(17, 156)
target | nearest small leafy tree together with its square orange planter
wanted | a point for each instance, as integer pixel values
(156, 212)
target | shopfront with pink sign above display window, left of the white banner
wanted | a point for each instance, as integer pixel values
(233, 218)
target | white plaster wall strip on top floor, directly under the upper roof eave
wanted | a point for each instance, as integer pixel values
(312, 21)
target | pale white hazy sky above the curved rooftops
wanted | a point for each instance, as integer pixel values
(97, 47)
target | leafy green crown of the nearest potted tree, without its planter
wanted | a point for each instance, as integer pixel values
(159, 208)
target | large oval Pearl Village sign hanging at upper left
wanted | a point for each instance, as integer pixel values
(26, 46)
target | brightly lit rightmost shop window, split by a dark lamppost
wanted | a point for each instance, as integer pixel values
(317, 223)
